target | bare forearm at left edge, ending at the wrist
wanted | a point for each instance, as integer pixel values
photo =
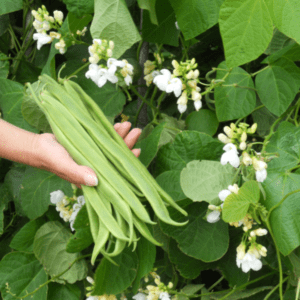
(18, 145)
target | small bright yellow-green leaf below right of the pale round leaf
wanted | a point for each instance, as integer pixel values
(236, 205)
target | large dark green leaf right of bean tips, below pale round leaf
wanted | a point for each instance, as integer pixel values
(198, 239)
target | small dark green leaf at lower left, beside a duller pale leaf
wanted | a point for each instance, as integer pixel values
(23, 240)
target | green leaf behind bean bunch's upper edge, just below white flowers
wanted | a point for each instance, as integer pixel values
(109, 99)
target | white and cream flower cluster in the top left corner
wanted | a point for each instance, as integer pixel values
(43, 23)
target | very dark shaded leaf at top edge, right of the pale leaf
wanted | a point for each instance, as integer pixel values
(165, 32)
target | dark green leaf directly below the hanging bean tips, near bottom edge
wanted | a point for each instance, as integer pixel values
(122, 276)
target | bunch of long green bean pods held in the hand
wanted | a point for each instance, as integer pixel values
(114, 206)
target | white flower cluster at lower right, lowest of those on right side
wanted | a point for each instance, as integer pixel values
(251, 259)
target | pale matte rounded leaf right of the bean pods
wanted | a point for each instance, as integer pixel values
(203, 180)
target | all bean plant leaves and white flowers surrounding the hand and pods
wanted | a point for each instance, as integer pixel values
(214, 84)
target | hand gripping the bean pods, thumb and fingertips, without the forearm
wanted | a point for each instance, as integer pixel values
(55, 158)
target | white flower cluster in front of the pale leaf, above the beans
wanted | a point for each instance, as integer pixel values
(100, 74)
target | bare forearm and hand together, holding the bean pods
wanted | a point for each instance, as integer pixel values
(43, 151)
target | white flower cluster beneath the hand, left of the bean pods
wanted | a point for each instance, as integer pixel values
(67, 210)
